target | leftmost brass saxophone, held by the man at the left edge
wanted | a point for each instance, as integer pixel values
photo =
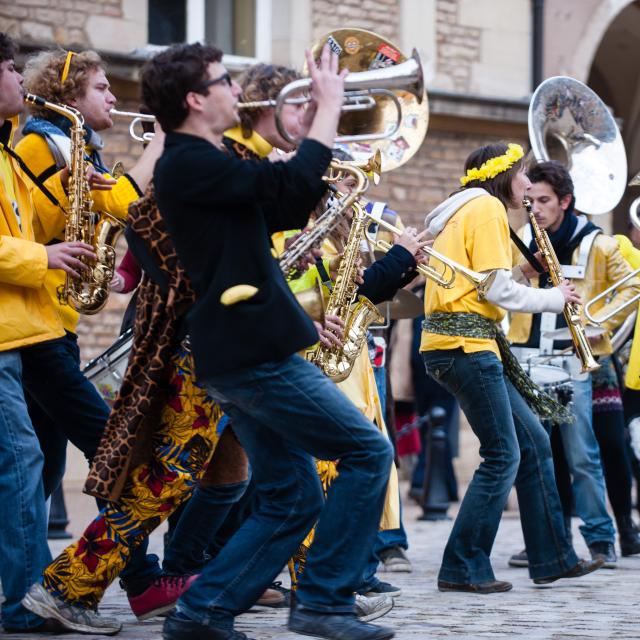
(89, 293)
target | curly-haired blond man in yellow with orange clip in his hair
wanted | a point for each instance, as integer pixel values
(67, 405)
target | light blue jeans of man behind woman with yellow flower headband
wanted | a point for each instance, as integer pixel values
(583, 458)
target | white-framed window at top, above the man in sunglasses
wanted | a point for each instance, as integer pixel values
(239, 27)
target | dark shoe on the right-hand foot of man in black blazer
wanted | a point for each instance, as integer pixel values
(335, 626)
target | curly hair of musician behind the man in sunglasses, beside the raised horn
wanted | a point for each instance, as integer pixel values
(262, 82)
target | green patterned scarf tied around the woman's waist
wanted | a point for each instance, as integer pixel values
(474, 325)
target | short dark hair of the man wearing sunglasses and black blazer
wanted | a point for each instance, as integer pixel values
(170, 75)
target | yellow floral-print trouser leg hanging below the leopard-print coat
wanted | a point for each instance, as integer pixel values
(182, 447)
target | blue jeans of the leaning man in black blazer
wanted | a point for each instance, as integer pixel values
(285, 414)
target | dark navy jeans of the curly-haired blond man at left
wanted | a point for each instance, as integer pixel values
(64, 405)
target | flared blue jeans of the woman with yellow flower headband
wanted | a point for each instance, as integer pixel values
(515, 448)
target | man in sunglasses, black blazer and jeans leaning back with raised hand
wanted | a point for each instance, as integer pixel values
(283, 410)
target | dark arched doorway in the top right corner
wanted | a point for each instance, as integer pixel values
(614, 76)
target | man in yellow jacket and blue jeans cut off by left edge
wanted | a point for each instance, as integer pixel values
(28, 318)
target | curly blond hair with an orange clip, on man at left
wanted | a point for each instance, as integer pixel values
(43, 74)
